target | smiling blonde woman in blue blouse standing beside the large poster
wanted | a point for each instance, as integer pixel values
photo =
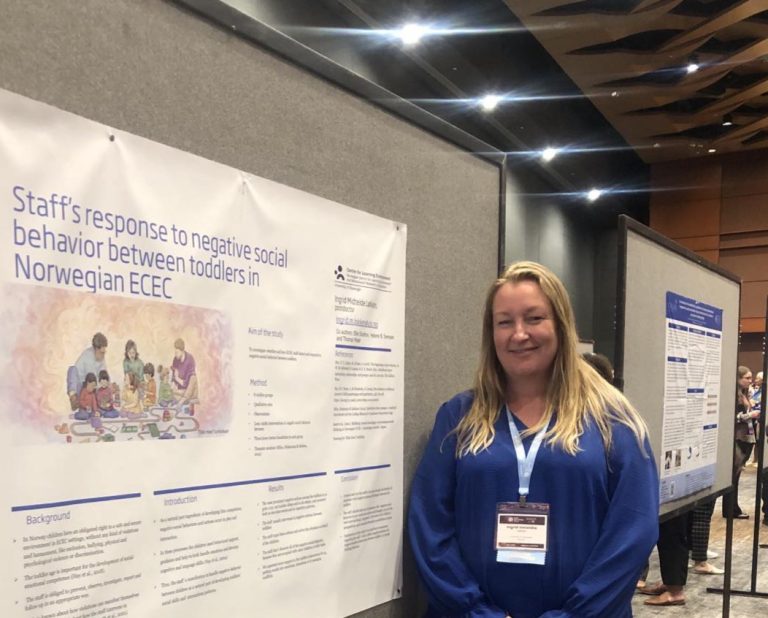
(478, 499)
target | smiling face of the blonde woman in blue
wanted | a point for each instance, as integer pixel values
(524, 333)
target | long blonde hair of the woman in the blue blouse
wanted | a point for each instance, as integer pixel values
(576, 391)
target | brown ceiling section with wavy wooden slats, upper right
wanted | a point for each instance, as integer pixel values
(630, 56)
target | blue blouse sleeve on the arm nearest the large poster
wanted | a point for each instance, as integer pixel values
(451, 587)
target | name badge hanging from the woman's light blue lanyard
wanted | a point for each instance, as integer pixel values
(521, 532)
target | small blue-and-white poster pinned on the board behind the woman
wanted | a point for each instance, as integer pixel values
(693, 353)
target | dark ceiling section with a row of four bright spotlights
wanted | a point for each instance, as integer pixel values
(484, 48)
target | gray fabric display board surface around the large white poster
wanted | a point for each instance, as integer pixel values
(153, 69)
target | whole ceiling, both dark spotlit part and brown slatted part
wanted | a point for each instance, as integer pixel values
(605, 80)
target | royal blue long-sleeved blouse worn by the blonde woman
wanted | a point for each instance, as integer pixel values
(603, 524)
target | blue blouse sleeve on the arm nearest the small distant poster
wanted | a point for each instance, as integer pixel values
(628, 535)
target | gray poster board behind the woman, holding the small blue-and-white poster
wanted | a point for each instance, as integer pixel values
(678, 362)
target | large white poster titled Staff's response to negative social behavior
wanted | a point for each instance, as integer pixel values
(202, 384)
